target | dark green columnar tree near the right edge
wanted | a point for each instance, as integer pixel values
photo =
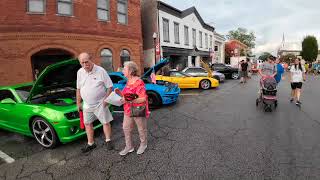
(309, 48)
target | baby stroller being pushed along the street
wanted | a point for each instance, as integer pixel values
(268, 93)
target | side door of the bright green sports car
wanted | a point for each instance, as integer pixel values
(9, 113)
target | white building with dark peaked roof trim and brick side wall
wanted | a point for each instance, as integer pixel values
(182, 35)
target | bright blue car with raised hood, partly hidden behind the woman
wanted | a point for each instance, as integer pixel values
(161, 93)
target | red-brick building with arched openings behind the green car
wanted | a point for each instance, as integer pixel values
(36, 33)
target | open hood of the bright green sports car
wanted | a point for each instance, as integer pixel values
(58, 75)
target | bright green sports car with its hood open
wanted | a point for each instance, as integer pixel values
(45, 109)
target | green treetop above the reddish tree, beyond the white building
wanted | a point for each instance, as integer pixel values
(242, 35)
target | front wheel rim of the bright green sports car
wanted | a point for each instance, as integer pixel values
(42, 133)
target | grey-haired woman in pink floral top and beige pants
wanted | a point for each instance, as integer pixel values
(134, 86)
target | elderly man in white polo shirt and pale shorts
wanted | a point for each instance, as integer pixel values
(93, 86)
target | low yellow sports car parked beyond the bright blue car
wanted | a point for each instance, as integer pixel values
(186, 81)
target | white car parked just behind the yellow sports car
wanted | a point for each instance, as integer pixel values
(201, 72)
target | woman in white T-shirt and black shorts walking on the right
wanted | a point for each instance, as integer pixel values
(297, 76)
